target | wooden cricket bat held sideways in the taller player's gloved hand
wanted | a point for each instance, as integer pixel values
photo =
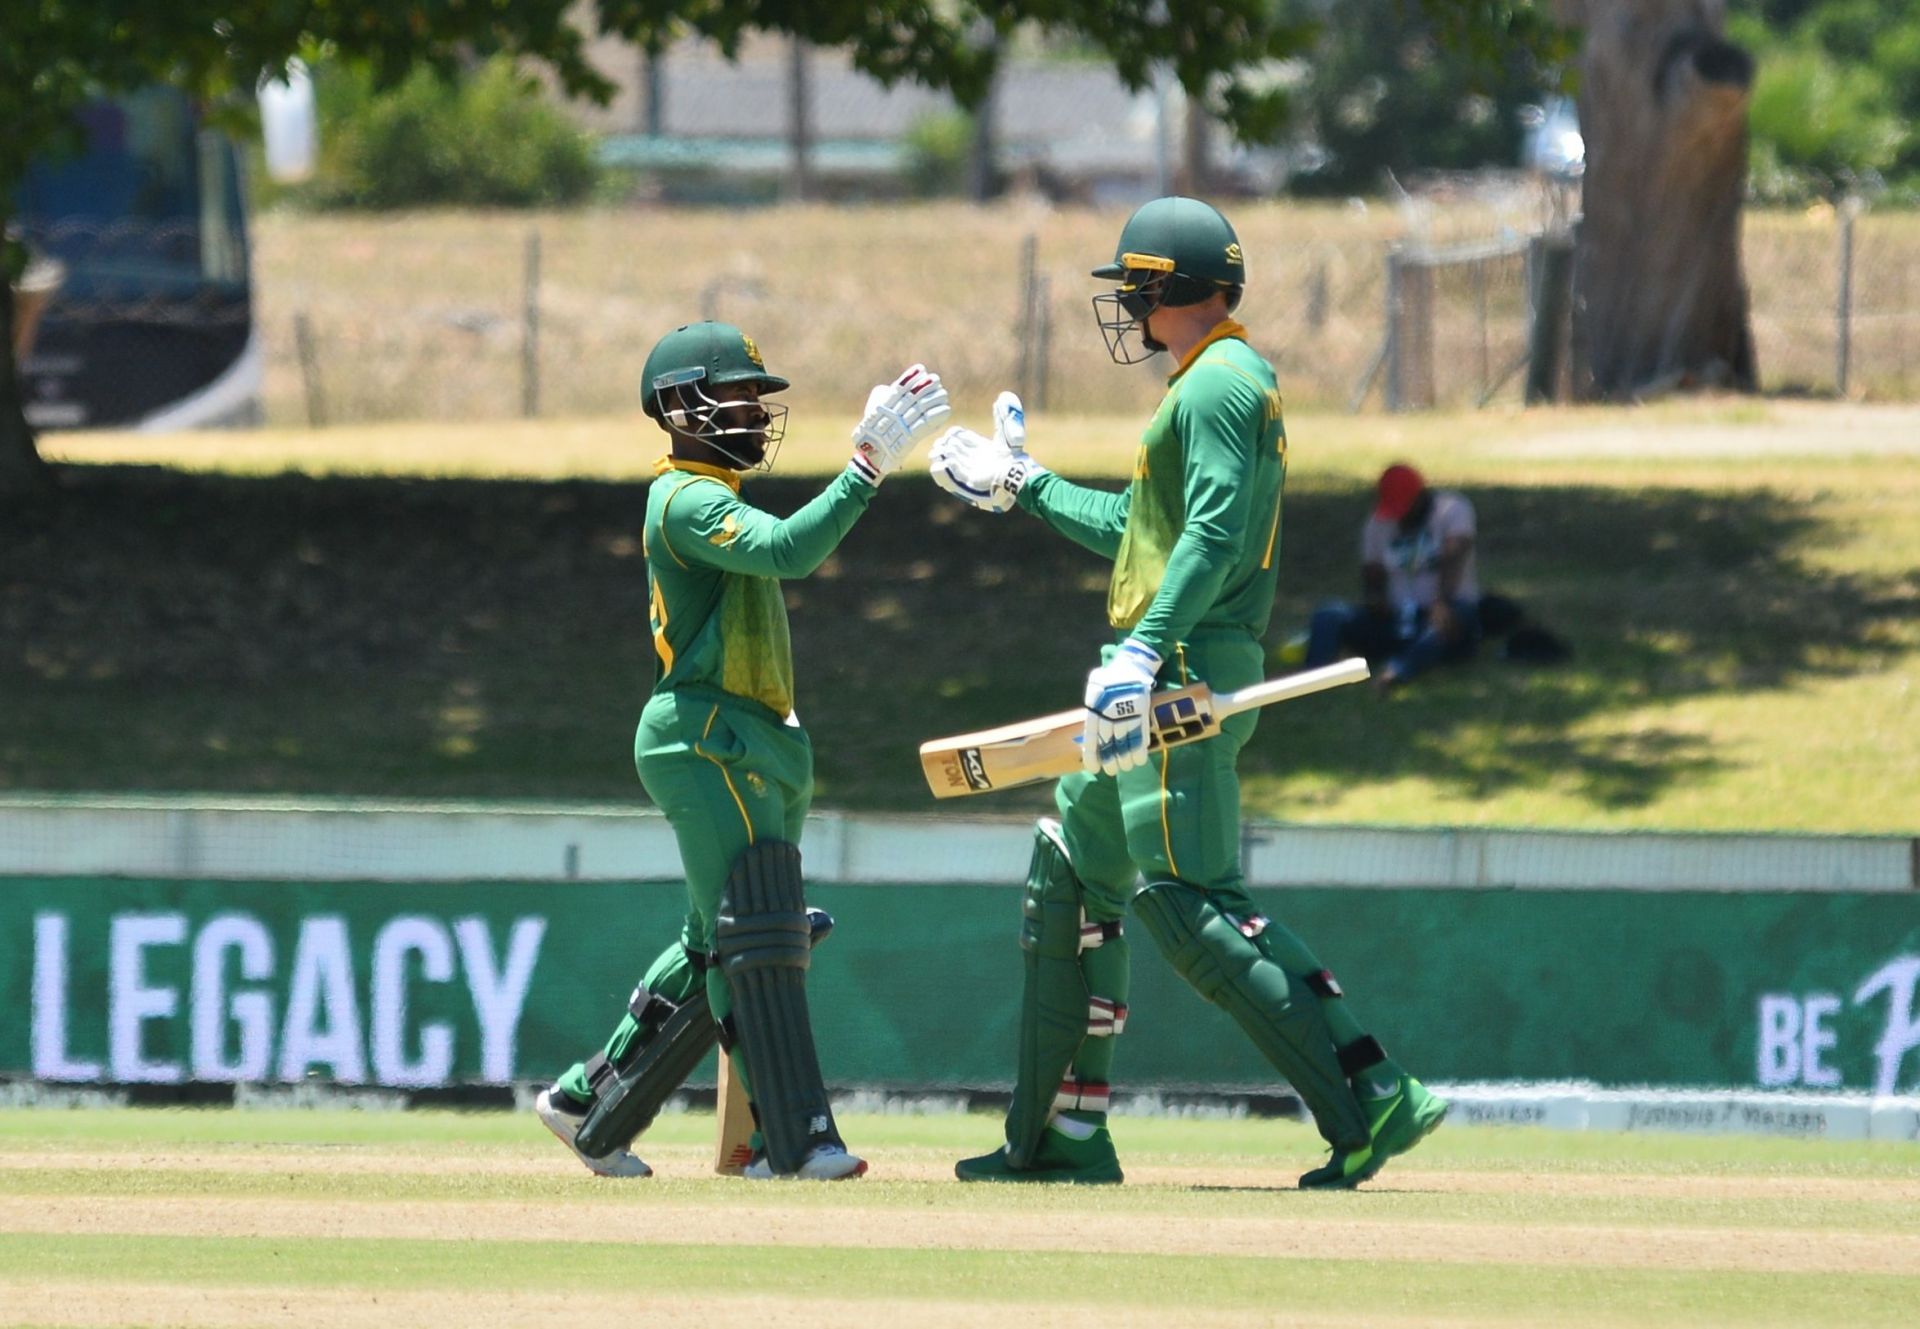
(1051, 746)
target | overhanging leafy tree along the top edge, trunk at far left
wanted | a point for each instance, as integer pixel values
(64, 53)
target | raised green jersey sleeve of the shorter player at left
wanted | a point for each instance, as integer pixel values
(709, 523)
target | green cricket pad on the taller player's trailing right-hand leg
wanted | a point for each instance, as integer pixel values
(1276, 1009)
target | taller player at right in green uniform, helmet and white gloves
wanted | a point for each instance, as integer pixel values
(1193, 544)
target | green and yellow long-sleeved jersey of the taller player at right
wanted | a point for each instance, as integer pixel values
(1197, 533)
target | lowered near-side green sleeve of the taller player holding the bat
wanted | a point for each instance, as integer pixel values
(1220, 420)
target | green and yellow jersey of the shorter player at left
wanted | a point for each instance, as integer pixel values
(713, 575)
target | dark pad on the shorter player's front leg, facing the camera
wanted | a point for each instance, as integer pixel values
(763, 940)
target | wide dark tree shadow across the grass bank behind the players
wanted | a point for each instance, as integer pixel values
(166, 631)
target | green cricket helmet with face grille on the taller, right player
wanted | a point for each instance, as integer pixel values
(1172, 253)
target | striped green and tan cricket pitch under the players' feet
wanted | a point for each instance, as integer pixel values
(473, 1220)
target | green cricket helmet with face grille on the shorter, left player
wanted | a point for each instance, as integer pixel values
(684, 389)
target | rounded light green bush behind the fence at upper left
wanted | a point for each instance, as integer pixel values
(491, 139)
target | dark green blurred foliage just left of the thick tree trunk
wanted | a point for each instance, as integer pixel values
(1389, 91)
